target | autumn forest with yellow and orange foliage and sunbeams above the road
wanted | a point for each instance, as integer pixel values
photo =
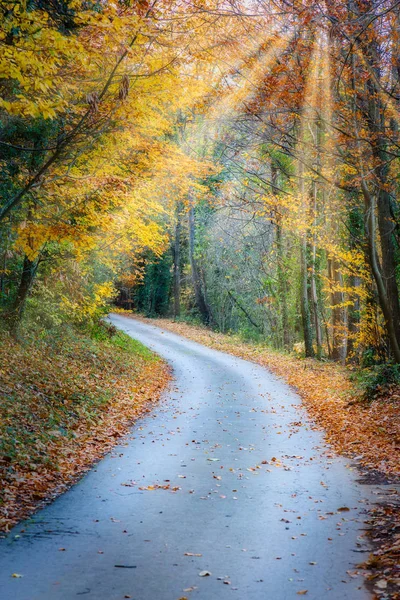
(236, 162)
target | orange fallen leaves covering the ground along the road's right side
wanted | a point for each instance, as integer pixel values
(367, 432)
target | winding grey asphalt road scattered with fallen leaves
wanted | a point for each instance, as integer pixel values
(255, 504)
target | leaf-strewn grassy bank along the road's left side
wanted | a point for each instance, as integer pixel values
(64, 402)
